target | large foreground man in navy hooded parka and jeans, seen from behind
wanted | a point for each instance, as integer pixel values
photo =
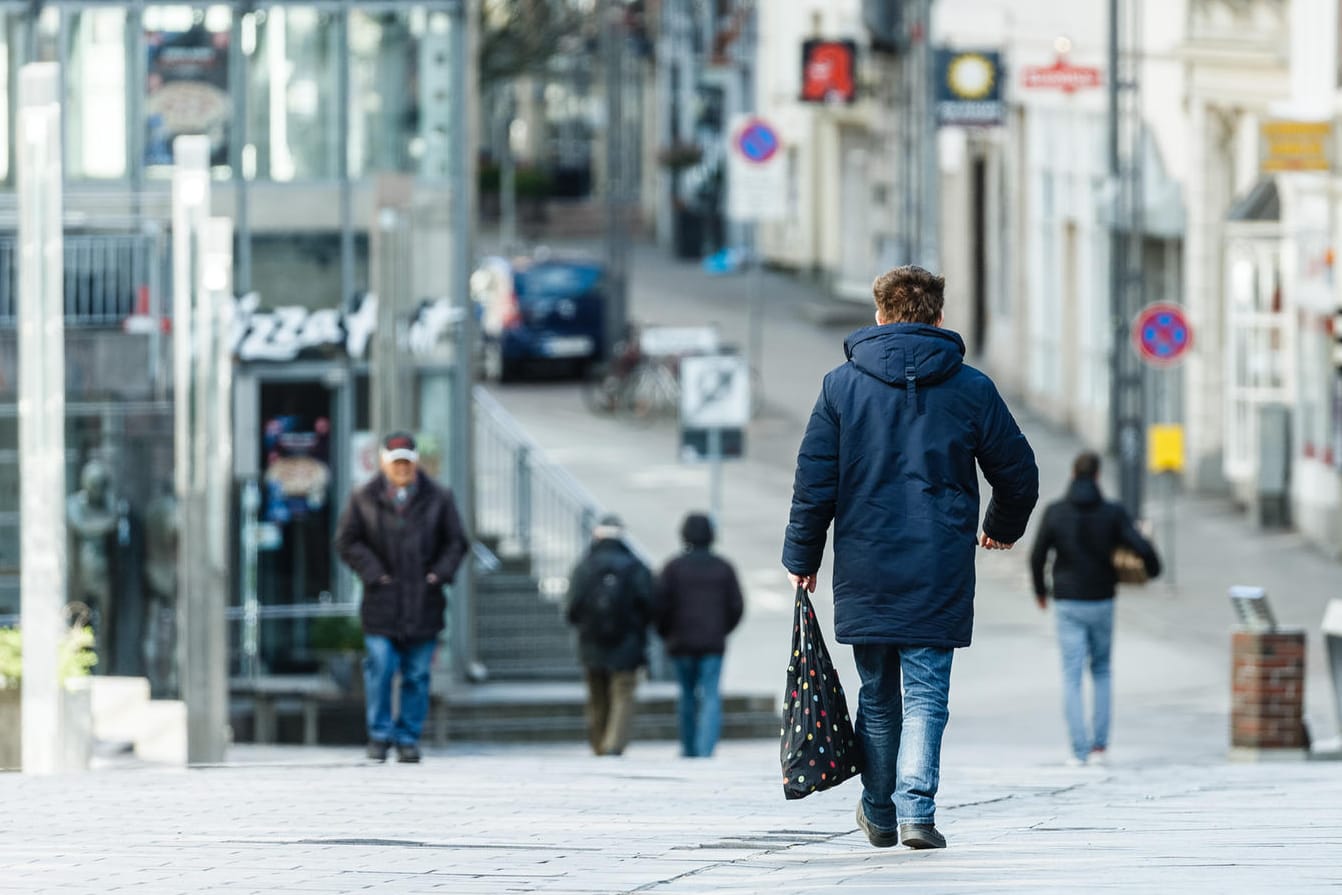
(892, 458)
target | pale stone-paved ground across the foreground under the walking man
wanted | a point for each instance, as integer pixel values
(476, 821)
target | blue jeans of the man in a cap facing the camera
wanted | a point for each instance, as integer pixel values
(383, 658)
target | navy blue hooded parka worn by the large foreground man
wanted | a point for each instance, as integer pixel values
(892, 458)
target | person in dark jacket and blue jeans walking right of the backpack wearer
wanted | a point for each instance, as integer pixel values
(697, 604)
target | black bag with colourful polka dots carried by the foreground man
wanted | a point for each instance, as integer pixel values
(819, 745)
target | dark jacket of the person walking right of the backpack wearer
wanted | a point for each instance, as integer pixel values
(697, 604)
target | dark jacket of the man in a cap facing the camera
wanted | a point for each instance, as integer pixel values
(375, 541)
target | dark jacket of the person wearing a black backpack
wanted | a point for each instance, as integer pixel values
(631, 650)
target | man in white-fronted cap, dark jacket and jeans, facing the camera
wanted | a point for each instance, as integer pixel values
(403, 537)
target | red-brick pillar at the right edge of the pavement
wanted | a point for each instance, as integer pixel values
(1268, 685)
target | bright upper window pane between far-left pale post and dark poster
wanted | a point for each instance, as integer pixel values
(96, 96)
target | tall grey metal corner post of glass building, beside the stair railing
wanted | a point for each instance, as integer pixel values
(464, 431)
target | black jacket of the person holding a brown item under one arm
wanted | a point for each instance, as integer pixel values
(1082, 532)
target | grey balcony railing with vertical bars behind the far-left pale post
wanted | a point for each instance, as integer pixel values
(108, 277)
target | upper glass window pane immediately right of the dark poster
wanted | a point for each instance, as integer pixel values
(292, 87)
